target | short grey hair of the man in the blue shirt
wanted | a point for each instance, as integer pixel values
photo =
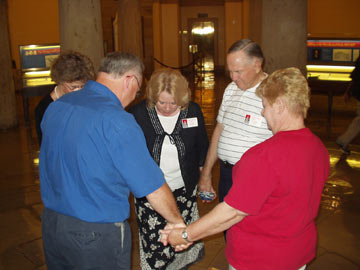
(118, 63)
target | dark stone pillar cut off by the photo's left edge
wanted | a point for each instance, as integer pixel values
(8, 117)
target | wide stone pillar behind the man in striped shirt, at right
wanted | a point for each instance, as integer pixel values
(280, 27)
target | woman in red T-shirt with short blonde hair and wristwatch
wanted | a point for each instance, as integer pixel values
(271, 208)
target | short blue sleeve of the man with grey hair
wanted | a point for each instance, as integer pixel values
(131, 157)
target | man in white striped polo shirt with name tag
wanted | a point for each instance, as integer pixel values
(240, 124)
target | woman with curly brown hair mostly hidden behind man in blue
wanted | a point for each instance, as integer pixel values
(70, 71)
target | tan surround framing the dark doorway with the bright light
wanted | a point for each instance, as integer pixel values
(214, 12)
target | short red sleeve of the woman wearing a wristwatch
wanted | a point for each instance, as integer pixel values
(253, 182)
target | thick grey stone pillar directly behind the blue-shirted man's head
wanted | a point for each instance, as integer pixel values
(81, 28)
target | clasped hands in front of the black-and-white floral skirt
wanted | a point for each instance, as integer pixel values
(172, 234)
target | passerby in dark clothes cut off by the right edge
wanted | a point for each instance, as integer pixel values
(354, 127)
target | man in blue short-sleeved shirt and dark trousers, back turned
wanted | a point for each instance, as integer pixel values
(93, 154)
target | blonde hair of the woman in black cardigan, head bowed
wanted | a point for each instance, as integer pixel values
(172, 82)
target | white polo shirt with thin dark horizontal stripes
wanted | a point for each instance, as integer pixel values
(243, 124)
